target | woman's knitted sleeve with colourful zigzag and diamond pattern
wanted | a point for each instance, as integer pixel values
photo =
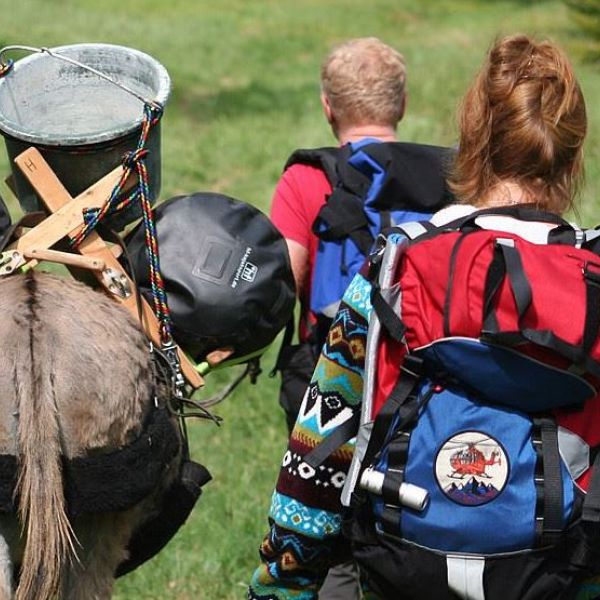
(305, 510)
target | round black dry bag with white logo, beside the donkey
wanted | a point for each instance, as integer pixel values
(226, 270)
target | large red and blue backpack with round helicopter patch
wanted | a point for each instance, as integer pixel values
(481, 414)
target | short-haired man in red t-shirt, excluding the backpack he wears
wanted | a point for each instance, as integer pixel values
(363, 94)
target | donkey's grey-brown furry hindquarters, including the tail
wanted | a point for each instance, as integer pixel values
(75, 378)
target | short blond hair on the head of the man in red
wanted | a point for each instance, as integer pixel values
(364, 81)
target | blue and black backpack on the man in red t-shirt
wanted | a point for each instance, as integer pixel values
(375, 185)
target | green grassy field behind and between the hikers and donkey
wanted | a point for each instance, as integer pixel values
(245, 94)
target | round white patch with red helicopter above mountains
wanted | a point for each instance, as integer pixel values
(471, 468)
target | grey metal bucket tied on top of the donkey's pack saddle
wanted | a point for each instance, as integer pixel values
(81, 121)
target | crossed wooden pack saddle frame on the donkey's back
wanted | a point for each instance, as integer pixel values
(66, 220)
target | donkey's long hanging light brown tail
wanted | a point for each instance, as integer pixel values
(49, 538)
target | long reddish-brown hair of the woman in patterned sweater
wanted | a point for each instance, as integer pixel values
(523, 121)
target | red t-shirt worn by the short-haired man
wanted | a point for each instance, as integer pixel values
(298, 197)
